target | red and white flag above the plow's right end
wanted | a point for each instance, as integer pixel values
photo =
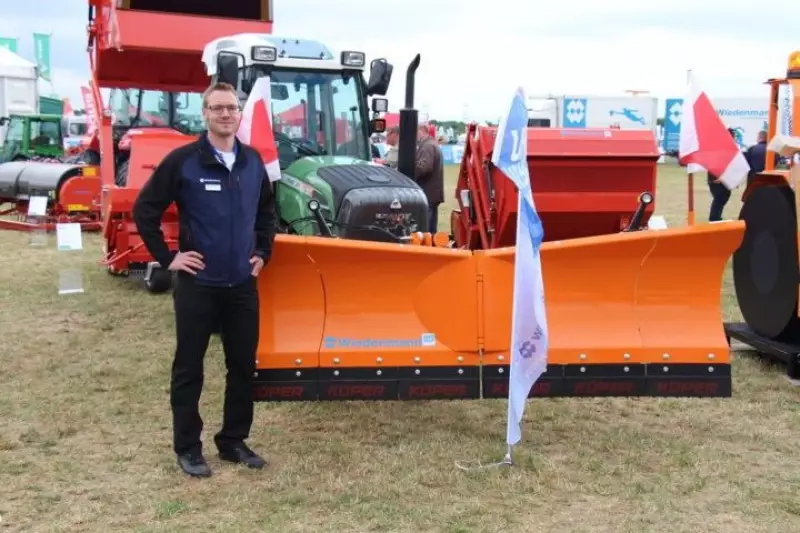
(705, 141)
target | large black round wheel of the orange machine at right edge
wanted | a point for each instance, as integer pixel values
(765, 267)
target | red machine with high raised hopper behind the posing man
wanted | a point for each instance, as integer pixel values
(148, 52)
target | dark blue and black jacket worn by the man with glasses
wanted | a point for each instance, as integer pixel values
(226, 216)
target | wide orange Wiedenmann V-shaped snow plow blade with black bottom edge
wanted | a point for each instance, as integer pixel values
(633, 314)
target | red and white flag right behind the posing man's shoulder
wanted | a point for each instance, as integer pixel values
(256, 127)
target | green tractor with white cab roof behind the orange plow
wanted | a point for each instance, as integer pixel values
(321, 118)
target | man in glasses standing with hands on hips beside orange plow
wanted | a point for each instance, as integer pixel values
(227, 226)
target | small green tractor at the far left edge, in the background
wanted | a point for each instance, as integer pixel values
(32, 138)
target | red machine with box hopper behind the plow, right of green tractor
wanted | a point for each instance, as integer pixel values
(585, 183)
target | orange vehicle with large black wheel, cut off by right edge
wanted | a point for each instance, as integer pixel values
(765, 267)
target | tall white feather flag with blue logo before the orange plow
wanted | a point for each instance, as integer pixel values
(529, 319)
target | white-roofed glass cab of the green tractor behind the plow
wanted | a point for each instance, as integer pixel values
(318, 100)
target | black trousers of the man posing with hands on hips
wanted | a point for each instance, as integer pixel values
(200, 311)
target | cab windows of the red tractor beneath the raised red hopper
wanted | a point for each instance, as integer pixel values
(135, 108)
